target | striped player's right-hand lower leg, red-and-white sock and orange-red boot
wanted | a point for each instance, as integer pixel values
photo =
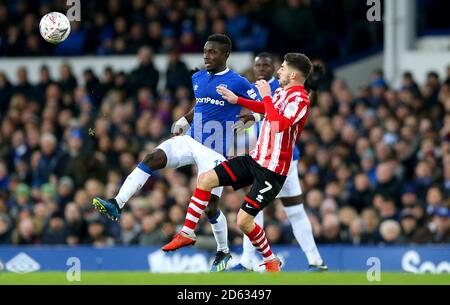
(258, 238)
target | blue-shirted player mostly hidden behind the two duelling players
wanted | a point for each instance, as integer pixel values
(291, 194)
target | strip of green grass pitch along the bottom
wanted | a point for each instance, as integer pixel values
(284, 278)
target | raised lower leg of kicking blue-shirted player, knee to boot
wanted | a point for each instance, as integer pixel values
(136, 179)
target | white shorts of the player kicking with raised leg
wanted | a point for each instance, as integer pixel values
(184, 150)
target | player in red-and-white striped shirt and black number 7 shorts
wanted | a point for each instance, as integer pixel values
(267, 167)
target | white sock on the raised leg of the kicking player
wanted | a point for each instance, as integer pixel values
(134, 182)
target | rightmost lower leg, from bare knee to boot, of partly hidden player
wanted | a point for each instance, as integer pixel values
(301, 227)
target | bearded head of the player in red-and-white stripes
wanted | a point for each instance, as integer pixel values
(295, 69)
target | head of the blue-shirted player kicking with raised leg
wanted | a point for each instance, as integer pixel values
(216, 52)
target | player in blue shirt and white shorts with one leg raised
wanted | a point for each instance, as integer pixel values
(210, 124)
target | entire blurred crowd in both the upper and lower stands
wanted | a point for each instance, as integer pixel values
(375, 163)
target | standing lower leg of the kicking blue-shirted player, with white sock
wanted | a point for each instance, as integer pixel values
(220, 231)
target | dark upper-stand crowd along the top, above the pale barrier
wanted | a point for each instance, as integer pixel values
(119, 27)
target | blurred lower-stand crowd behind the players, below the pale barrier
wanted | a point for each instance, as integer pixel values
(375, 164)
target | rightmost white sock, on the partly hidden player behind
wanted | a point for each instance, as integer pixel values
(301, 227)
